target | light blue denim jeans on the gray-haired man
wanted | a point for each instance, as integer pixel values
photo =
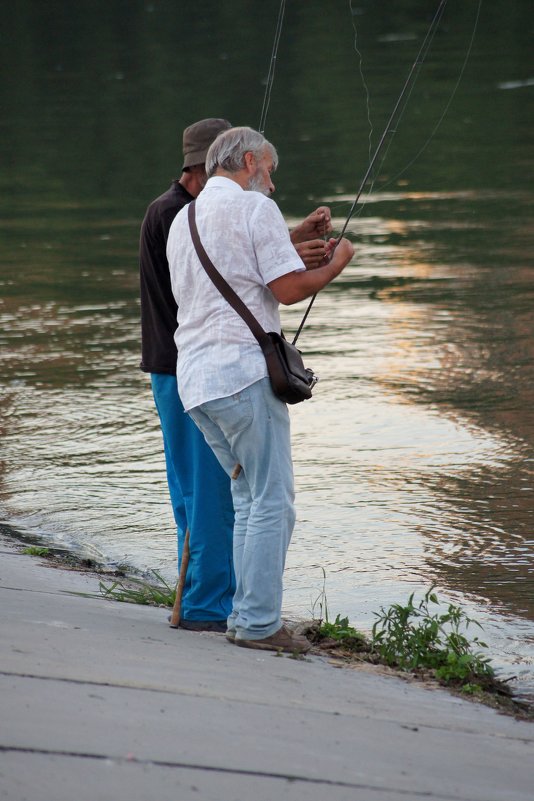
(251, 428)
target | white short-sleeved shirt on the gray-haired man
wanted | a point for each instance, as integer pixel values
(247, 240)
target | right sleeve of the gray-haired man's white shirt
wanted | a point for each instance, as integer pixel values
(275, 253)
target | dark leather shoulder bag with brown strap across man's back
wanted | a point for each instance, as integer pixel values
(290, 380)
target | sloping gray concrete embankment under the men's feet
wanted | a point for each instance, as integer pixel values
(105, 700)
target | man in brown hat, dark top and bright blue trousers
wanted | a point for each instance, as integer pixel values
(198, 486)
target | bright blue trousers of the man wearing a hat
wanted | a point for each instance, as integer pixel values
(201, 501)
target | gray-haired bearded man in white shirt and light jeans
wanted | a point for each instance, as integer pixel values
(222, 375)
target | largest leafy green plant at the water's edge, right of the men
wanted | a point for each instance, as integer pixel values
(412, 637)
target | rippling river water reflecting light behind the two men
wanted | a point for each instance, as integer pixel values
(414, 461)
